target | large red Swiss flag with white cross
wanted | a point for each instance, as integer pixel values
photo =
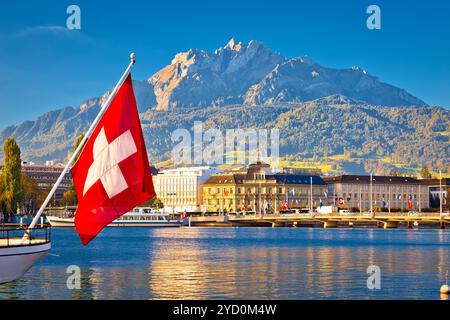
(112, 174)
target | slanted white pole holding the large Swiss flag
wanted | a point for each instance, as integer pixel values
(81, 145)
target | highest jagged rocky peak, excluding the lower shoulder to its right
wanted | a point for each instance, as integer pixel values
(196, 78)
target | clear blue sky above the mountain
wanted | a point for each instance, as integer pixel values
(44, 66)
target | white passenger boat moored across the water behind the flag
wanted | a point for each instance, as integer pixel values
(139, 217)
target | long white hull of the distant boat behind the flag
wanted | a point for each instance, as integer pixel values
(69, 222)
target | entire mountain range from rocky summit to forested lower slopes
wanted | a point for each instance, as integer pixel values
(252, 82)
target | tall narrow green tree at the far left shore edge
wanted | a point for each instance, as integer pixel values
(12, 177)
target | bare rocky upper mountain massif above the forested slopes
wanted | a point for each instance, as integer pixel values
(253, 74)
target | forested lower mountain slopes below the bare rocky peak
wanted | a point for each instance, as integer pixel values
(370, 136)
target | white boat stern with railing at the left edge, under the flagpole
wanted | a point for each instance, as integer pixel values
(19, 253)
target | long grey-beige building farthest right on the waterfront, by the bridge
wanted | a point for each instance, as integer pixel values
(387, 192)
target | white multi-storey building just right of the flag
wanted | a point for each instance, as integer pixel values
(182, 188)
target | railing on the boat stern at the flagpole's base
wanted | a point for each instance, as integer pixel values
(11, 235)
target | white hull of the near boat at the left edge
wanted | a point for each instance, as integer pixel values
(15, 261)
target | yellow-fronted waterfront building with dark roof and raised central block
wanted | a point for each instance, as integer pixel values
(260, 190)
